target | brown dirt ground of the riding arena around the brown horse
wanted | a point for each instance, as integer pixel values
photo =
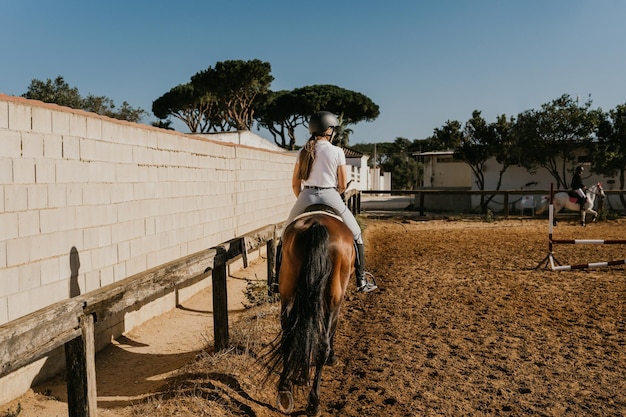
(464, 323)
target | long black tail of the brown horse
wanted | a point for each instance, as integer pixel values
(304, 325)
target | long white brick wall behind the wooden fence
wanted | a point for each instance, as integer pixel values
(115, 198)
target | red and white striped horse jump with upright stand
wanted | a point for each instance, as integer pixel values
(555, 265)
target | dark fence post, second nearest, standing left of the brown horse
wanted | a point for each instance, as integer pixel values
(220, 300)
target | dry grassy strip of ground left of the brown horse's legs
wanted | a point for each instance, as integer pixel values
(220, 383)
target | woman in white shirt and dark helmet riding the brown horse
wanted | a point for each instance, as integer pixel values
(319, 177)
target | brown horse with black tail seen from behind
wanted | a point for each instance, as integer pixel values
(318, 258)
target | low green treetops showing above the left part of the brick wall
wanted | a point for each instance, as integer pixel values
(60, 92)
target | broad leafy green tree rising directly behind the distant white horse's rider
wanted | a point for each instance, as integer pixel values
(555, 133)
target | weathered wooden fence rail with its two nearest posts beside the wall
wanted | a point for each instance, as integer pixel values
(70, 323)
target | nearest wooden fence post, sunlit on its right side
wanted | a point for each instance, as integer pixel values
(80, 358)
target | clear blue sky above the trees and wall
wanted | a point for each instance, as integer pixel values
(422, 61)
